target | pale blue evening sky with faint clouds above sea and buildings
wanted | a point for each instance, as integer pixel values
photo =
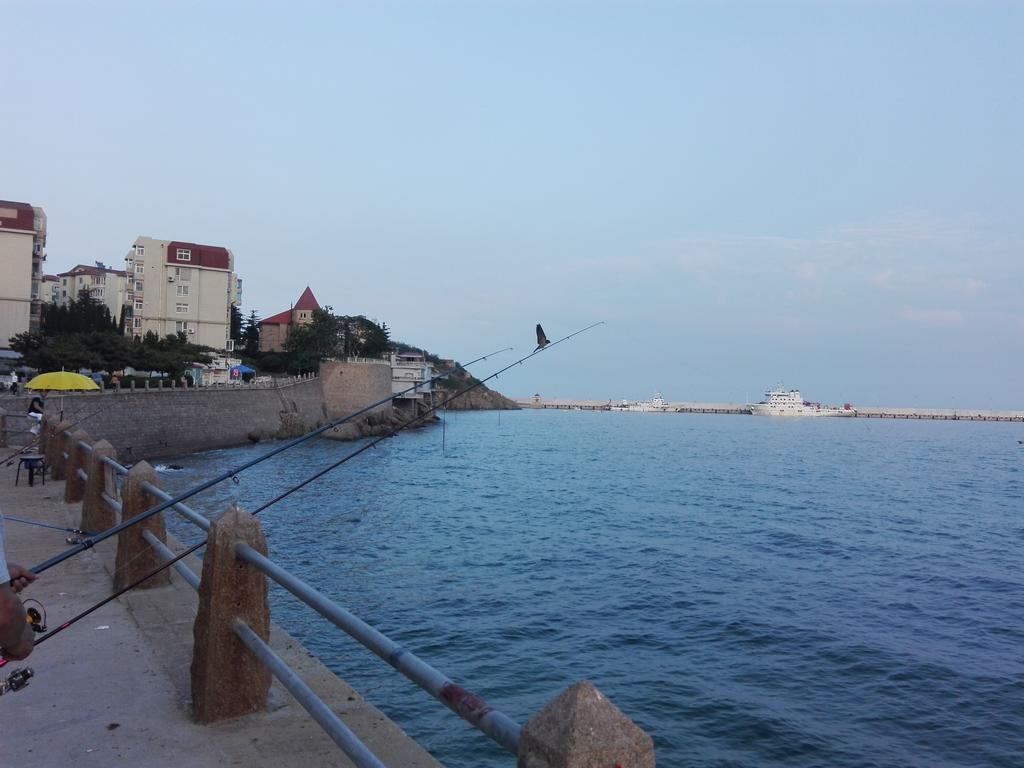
(823, 195)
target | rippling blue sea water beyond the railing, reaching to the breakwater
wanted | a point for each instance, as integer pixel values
(751, 591)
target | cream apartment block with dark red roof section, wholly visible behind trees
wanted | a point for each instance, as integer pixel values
(179, 287)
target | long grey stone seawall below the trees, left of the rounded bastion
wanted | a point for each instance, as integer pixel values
(156, 423)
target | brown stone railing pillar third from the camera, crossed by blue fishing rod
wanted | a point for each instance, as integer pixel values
(136, 557)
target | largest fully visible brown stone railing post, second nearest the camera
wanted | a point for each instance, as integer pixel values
(227, 678)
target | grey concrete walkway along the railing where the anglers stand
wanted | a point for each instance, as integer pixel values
(113, 691)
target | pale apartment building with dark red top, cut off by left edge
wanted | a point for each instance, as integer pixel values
(23, 244)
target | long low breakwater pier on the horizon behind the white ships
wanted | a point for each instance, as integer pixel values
(744, 410)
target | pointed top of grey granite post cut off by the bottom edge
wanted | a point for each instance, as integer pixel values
(583, 730)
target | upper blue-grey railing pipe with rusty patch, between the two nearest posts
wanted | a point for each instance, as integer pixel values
(471, 708)
